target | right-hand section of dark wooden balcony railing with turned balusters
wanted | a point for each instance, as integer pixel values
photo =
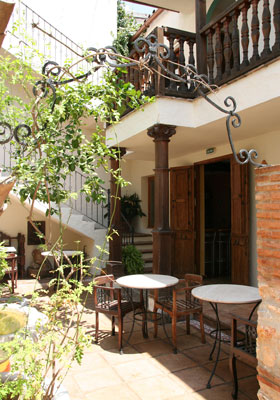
(245, 36)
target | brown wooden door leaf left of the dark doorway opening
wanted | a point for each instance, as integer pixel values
(182, 220)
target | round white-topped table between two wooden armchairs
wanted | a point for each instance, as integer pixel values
(145, 282)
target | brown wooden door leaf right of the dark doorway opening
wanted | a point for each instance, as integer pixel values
(239, 223)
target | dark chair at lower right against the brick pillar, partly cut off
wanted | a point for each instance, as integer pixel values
(244, 348)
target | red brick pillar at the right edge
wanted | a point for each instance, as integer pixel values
(268, 245)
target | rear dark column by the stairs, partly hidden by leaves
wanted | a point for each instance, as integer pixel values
(115, 209)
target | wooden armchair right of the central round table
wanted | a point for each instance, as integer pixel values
(177, 306)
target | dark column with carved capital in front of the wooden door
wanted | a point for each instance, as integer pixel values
(162, 236)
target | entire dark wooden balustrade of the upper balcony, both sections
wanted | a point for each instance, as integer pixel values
(242, 38)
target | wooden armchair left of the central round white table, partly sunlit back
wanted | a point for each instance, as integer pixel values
(109, 300)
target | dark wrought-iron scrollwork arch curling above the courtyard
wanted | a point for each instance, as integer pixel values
(153, 55)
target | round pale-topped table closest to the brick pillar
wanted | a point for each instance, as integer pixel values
(225, 294)
